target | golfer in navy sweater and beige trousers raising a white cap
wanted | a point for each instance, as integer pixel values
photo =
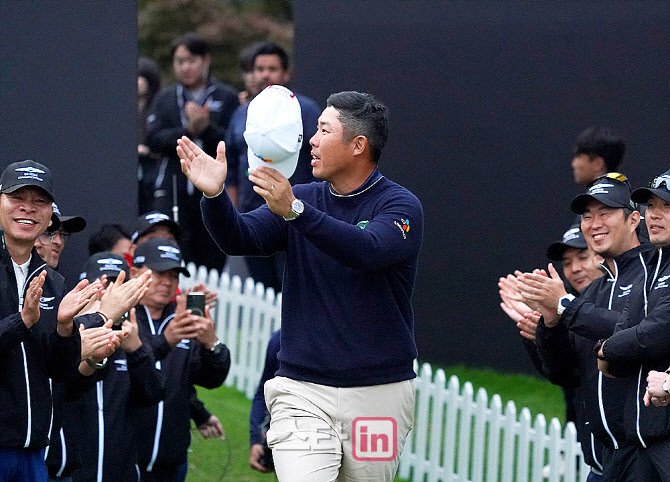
(352, 244)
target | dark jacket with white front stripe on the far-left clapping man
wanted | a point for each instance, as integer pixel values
(30, 356)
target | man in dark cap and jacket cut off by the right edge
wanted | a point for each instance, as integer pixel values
(641, 341)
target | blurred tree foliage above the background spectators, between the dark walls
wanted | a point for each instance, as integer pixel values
(228, 26)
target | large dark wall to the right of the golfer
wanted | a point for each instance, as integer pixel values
(486, 98)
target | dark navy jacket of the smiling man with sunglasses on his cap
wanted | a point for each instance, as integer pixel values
(566, 351)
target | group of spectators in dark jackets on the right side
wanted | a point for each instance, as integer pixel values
(601, 331)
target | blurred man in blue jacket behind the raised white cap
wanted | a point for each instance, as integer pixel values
(269, 65)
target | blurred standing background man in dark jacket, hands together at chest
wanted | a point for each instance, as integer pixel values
(199, 107)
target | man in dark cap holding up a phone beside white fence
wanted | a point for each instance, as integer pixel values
(188, 352)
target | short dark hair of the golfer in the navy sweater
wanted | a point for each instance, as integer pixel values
(362, 114)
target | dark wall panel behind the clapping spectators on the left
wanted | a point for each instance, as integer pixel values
(68, 97)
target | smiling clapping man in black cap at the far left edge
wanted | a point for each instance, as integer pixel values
(38, 339)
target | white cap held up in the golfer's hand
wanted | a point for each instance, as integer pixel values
(274, 130)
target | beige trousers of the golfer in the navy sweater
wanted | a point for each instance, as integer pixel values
(323, 434)
